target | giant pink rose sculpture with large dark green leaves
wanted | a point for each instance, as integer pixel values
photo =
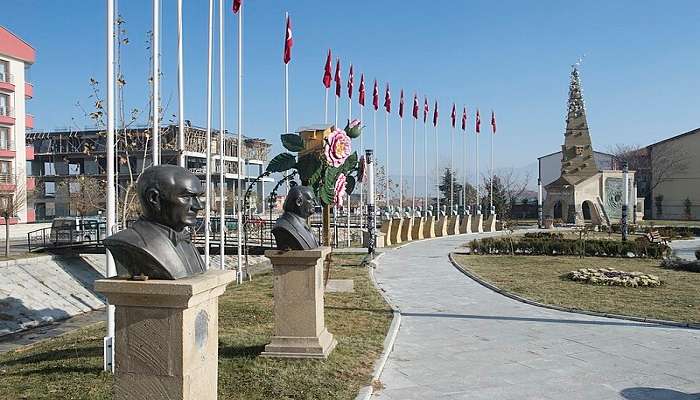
(331, 170)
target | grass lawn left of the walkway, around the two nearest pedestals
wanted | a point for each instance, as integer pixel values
(70, 367)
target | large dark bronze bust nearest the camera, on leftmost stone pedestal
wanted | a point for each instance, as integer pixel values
(157, 245)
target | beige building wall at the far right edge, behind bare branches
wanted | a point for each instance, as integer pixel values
(681, 185)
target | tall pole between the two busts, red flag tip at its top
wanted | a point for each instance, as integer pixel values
(239, 155)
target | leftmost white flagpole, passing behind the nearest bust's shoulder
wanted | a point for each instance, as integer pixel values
(108, 341)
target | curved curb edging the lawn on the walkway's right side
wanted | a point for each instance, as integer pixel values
(652, 321)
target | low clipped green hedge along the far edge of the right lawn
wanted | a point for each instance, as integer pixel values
(552, 245)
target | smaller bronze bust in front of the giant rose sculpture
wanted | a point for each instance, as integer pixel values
(291, 231)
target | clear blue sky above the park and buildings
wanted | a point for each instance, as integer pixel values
(640, 73)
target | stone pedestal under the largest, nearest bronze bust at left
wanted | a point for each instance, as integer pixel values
(167, 336)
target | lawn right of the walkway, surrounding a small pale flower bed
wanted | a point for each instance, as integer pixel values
(541, 278)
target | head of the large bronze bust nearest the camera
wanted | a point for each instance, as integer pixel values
(170, 195)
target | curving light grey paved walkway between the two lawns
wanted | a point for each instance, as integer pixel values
(460, 340)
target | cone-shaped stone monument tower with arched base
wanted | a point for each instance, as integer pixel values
(583, 193)
